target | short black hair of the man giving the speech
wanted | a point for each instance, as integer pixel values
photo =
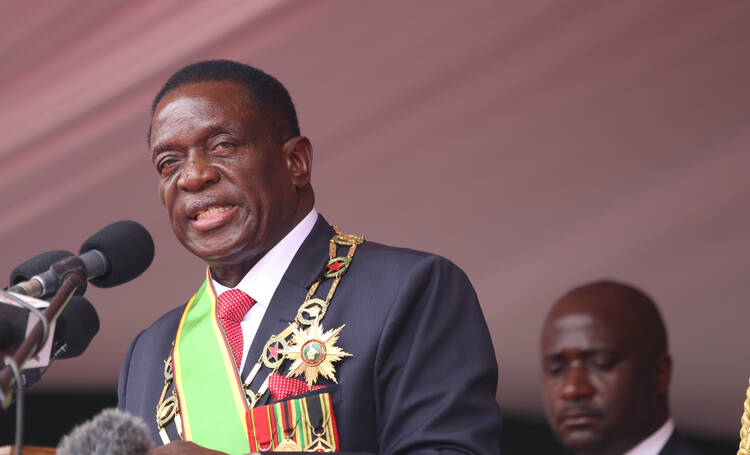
(266, 91)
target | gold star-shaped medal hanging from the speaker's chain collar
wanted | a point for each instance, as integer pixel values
(313, 353)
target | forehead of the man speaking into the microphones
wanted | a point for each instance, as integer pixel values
(192, 105)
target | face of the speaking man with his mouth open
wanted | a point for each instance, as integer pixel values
(225, 183)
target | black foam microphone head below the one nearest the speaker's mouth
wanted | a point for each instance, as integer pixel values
(76, 327)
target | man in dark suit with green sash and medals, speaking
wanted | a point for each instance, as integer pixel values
(411, 370)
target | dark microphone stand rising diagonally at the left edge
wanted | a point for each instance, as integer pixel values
(73, 275)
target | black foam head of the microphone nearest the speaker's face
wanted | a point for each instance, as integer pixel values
(128, 248)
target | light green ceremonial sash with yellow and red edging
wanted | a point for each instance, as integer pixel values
(209, 389)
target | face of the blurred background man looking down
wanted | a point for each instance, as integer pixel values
(597, 384)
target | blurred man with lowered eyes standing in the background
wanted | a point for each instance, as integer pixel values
(606, 372)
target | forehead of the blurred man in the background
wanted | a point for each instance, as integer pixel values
(583, 331)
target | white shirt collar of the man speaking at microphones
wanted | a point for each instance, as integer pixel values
(261, 281)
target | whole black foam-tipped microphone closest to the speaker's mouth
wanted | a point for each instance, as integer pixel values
(114, 255)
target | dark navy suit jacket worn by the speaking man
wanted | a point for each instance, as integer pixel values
(423, 375)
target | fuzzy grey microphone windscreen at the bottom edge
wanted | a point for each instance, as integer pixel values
(111, 432)
